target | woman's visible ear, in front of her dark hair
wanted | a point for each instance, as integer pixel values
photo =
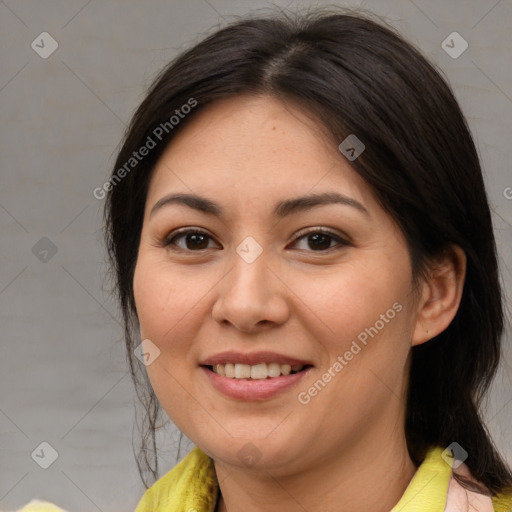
(440, 294)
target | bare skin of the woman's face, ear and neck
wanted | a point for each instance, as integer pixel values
(347, 445)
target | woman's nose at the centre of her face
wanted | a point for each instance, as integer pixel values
(251, 297)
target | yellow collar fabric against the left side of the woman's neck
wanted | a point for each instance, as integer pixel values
(191, 484)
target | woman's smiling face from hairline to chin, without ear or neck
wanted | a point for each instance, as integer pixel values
(272, 280)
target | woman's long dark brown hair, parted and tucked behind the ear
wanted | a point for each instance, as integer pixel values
(355, 76)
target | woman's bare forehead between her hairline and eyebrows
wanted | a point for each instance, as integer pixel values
(257, 147)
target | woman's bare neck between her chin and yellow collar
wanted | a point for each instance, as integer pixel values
(367, 476)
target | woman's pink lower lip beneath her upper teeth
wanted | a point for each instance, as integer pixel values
(258, 389)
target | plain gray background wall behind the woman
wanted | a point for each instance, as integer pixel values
(63, 374)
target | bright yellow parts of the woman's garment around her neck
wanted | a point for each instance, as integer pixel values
(192, 485)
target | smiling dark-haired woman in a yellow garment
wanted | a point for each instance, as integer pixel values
(300, 235)
